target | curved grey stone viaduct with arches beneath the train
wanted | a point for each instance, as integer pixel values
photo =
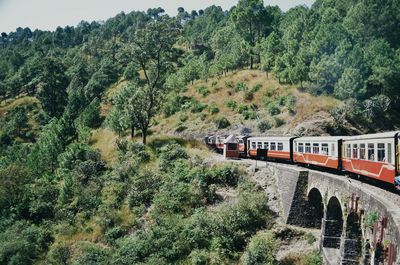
(347, 211)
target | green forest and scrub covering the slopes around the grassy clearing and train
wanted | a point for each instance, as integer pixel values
(62, 202)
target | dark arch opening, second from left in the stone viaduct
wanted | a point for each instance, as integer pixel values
(333, 224)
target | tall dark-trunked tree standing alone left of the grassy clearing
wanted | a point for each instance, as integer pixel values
(152, 48)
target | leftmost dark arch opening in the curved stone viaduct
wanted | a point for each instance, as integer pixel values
(315, 209)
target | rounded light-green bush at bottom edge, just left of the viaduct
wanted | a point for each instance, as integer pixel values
(262, 249)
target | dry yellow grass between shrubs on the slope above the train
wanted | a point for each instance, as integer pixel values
(202, 123)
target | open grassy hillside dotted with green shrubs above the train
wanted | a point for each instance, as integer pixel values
(248, 98)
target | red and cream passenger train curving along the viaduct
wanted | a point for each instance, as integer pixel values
(375, 156)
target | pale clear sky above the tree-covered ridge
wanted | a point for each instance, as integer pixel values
(48, 14)
